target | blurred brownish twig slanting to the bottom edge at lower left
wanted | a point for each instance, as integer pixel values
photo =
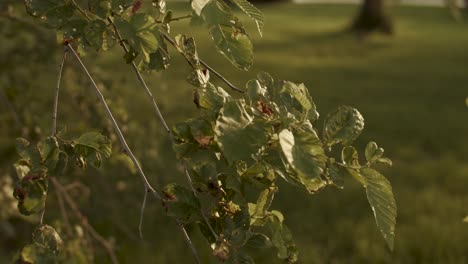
(75, 209)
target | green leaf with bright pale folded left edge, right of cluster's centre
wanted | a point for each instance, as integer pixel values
(305, 155)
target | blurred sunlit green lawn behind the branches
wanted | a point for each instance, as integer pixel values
(411, 90)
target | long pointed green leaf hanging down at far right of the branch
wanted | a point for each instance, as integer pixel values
(380, 196)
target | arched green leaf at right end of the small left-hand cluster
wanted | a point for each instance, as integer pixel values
(95, 141)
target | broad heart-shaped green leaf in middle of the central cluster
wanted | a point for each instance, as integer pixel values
(237, 134)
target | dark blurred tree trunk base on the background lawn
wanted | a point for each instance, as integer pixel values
(372, 17)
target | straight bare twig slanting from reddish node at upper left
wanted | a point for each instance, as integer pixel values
(116, 127)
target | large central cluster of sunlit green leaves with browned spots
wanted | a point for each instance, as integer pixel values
(239, 147)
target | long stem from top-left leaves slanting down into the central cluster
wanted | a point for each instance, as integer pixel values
(161, 118)
